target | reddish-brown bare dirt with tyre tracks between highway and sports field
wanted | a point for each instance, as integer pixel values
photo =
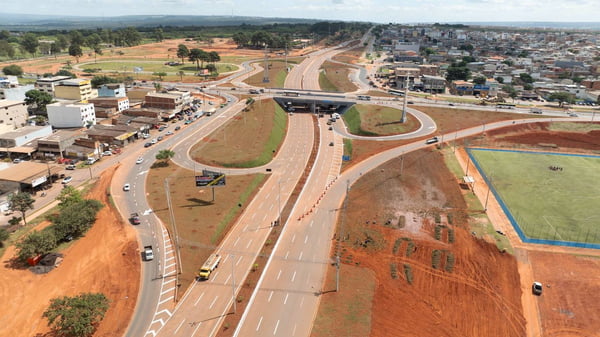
(390, 229)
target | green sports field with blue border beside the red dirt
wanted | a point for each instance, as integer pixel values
(560, 204)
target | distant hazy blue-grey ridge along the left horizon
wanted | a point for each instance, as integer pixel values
(27, 22)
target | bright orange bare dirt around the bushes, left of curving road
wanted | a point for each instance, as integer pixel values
(105, 260)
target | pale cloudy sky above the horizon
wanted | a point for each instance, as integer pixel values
(380, 11)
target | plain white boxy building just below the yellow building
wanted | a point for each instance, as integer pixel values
(71, 115)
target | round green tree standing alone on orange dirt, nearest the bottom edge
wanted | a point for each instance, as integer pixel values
(77, 316)
